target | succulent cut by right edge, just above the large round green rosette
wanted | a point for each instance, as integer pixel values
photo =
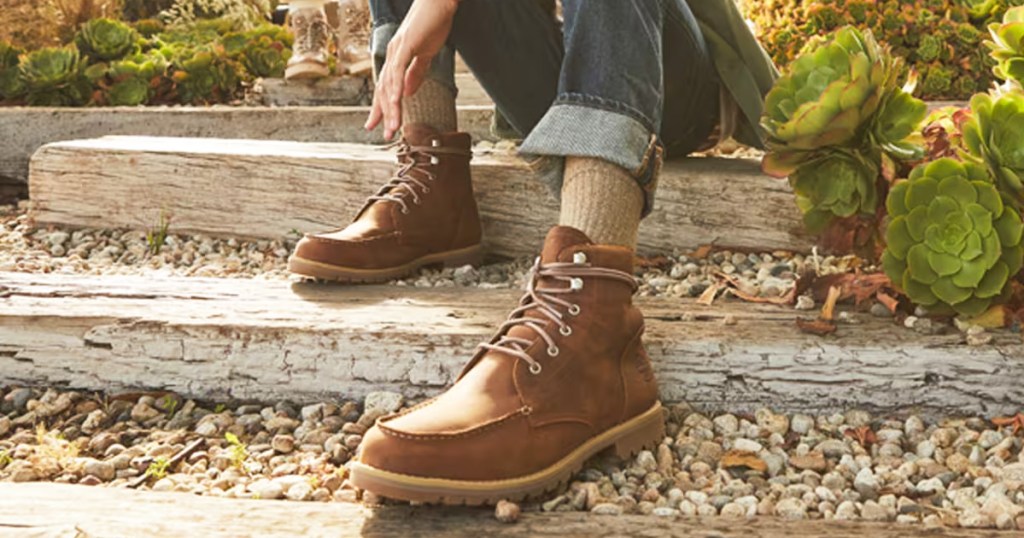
(995, 136)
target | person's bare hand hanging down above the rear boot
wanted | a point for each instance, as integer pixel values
(418, 40)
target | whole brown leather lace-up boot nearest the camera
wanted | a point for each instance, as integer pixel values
(566, 378)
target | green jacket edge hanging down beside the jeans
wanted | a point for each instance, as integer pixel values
(743, 66)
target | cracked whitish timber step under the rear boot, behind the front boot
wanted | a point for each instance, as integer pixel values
(264, 341)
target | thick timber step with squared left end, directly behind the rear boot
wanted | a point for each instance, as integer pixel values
(265, 189)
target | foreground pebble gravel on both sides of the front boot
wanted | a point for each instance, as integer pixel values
(958, 473)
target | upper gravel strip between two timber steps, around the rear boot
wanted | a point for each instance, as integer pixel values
(24, 249)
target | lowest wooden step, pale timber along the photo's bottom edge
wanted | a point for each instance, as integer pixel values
(61, 511)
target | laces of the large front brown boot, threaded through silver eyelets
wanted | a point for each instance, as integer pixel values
(549, 303)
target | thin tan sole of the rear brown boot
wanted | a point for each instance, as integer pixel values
(471, 256)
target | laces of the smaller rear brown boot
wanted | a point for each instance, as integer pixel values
(405, 184)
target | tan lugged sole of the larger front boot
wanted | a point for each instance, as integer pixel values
(644, 432)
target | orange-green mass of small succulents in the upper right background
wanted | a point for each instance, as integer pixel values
(938, 38)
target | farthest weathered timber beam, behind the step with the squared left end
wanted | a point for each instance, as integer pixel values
(23, 131)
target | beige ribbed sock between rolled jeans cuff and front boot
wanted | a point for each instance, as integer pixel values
(602, 200)
